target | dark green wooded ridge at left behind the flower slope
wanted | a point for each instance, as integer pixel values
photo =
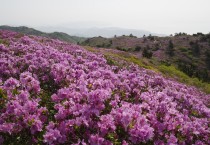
(55, 35)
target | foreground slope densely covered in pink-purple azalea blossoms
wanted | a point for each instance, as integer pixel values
(52, 92)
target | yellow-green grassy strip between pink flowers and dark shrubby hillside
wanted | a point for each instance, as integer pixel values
(119, 58)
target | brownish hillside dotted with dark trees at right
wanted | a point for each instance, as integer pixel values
(189, 53)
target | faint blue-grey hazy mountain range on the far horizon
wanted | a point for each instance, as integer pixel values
(107, 32)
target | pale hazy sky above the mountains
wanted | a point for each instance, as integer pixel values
(158, 16)
